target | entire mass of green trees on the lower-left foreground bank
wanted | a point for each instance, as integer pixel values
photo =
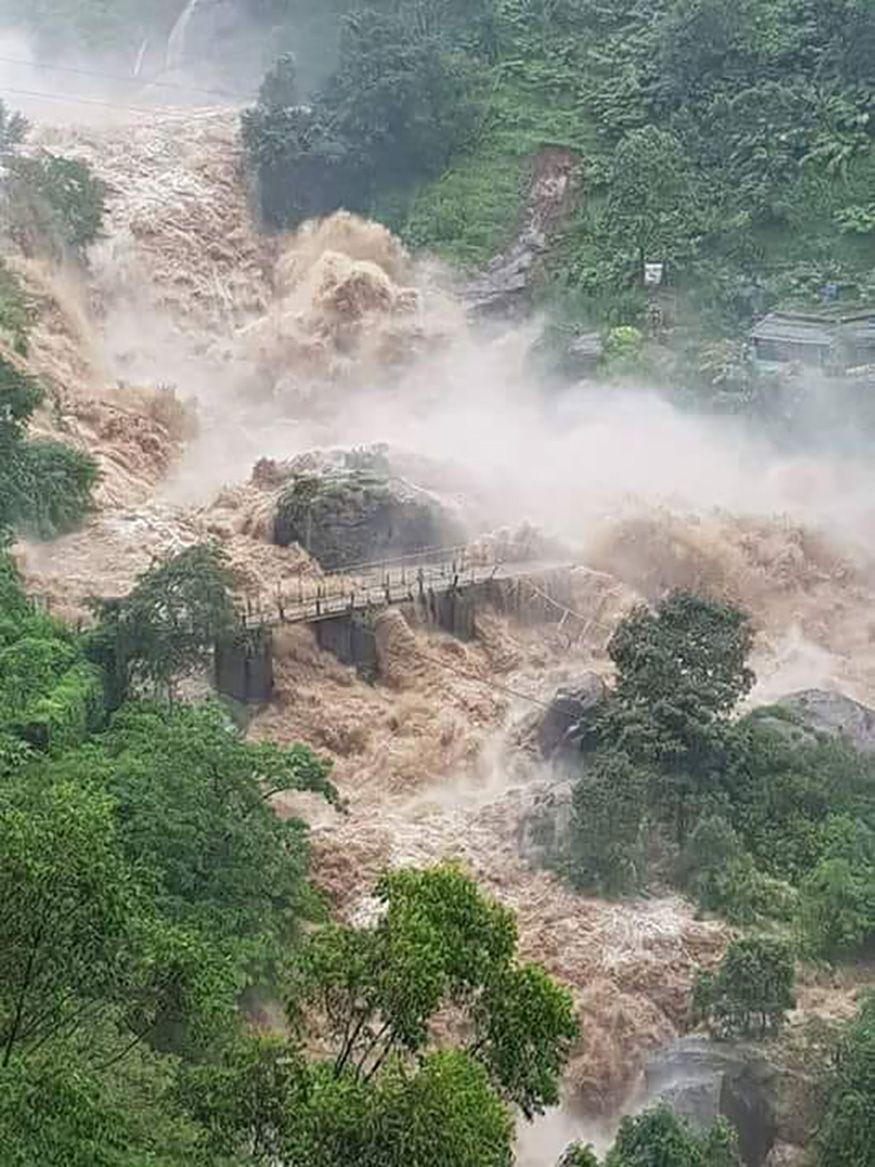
(149, 892)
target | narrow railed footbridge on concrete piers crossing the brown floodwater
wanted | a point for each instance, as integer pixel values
(442, 588)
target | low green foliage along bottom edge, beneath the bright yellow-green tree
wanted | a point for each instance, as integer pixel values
(443, 1113)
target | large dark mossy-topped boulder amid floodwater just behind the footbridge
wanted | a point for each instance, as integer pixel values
(348, 518)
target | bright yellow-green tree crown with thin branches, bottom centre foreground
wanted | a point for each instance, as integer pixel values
(440, 941)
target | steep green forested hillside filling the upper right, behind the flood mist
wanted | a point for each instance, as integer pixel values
(732, 142)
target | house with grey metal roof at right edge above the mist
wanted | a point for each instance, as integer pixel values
(831, 339)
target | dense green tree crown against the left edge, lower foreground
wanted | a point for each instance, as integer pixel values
(69, 911)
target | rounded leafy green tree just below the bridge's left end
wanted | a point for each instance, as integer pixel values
(194, 815)
